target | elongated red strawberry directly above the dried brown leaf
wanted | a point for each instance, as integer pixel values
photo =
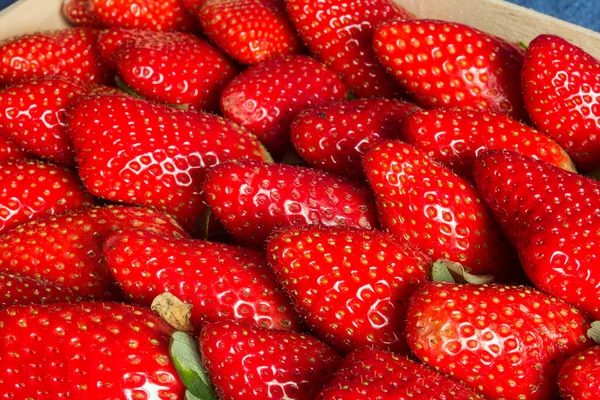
(219, 281)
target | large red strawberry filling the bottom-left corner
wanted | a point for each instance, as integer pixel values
(86, 351)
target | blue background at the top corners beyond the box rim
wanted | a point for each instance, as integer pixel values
(582, 12)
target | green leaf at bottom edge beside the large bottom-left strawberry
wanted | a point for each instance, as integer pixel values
(186, 358)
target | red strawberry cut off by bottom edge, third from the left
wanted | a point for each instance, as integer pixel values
(376, 374)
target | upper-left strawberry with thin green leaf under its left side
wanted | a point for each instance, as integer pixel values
(194, 75)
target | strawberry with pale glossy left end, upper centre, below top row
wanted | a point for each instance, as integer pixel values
(267, 106)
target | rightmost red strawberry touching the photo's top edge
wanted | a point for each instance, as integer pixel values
(339, 33)
